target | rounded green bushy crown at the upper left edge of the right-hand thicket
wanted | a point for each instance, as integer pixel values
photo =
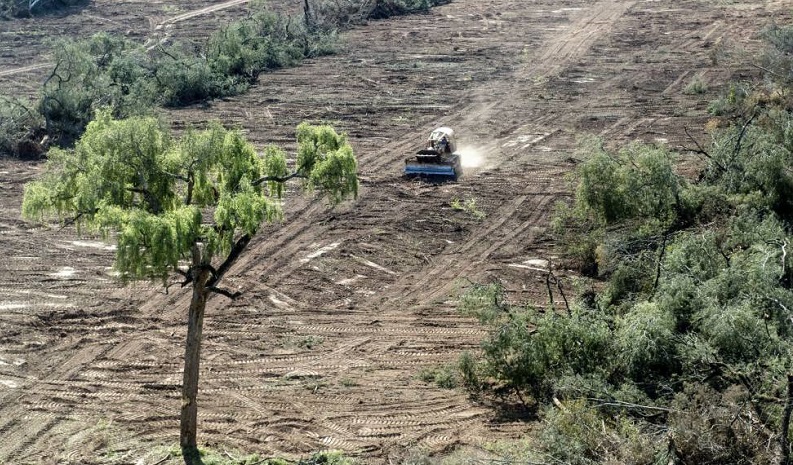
(635, 189)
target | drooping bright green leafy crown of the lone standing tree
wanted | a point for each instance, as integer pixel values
(129, 177)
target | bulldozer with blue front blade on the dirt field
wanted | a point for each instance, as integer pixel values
(438, 159)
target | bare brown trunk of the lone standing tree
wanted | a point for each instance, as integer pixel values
(192, 357)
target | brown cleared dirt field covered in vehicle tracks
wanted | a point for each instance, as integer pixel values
(342, 308)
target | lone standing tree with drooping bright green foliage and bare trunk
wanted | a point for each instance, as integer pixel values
(184, 206)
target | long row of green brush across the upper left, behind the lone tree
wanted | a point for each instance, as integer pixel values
(132, 80)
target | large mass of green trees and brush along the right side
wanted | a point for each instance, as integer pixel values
(679, 349)
